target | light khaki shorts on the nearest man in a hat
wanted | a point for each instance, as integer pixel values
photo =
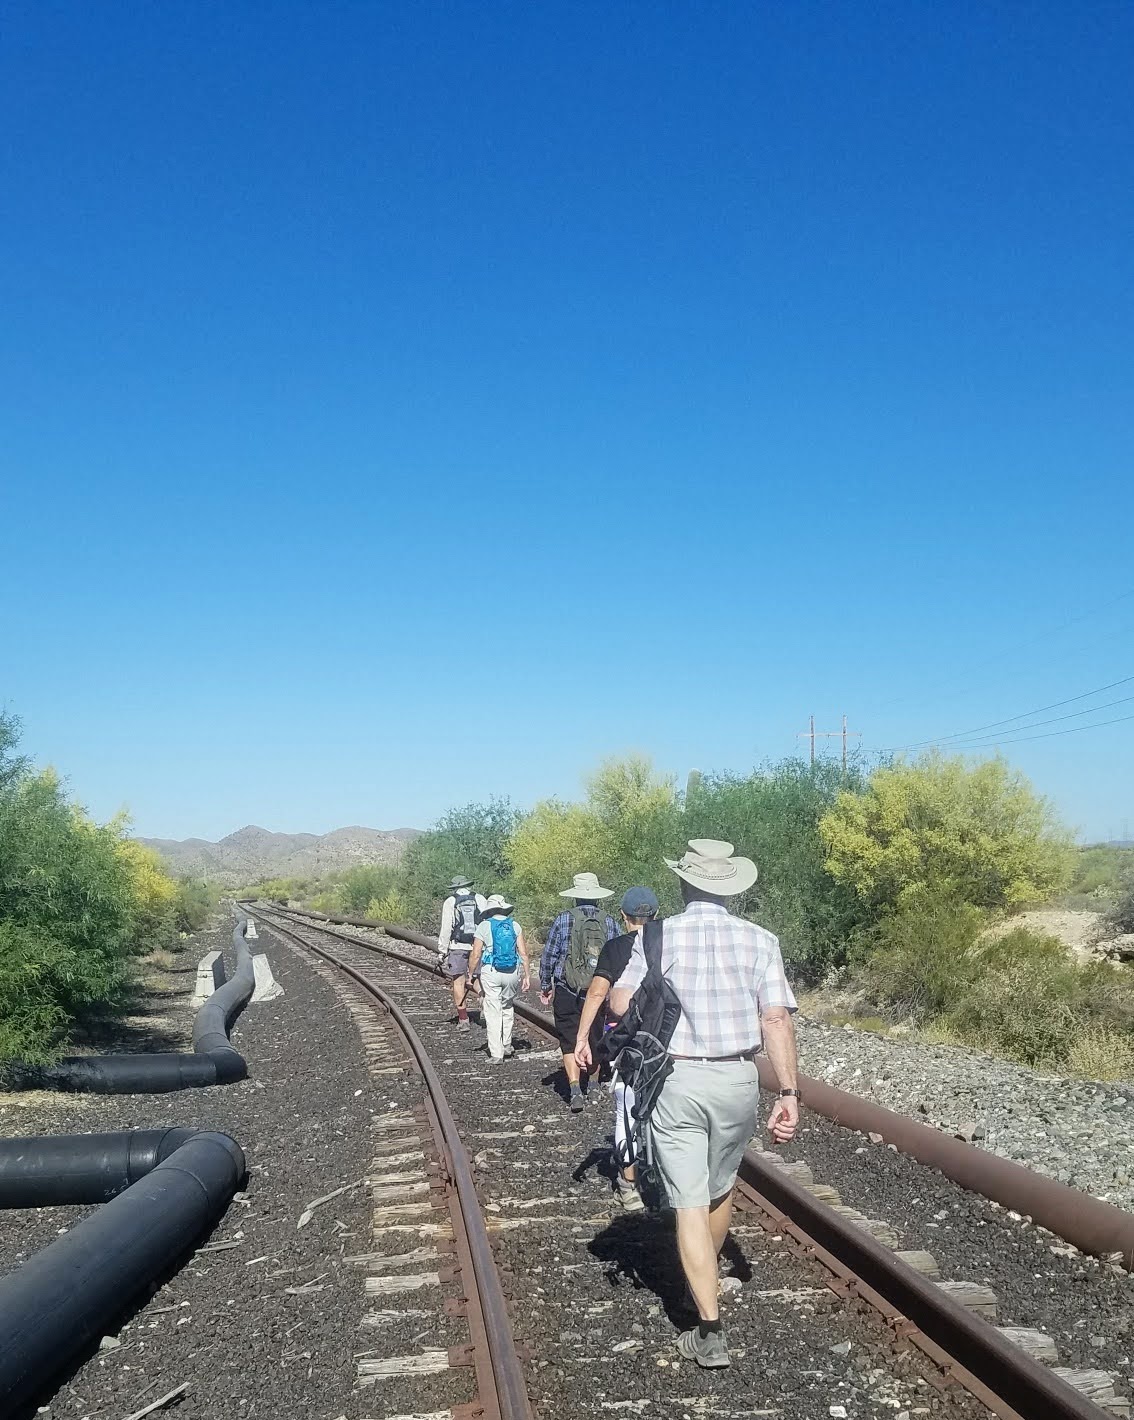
(700, 1127)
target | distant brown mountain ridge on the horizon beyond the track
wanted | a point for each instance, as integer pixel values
(253, 853)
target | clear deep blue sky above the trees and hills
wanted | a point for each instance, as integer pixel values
(693, 367)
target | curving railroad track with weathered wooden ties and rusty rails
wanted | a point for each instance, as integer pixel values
(845, 1323)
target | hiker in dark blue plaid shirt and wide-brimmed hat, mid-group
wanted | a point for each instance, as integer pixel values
(568, 963)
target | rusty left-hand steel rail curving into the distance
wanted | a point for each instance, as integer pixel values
(500, 1377)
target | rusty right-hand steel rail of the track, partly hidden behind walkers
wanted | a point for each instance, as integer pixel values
(967, 1350)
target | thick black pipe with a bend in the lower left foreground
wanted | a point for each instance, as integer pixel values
(65, 1297)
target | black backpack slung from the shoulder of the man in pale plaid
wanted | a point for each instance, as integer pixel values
(639, 1046)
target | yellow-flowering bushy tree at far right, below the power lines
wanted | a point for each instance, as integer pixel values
(970, 833)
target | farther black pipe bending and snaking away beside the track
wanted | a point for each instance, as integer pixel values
(215, 1060)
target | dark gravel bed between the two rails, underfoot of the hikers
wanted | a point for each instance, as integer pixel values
(598, 1296)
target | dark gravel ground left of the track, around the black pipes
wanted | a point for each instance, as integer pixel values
(226, 1323)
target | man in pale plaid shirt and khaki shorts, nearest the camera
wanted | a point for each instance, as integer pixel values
(729, 978)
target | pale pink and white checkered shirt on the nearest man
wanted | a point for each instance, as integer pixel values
(725, 971)
